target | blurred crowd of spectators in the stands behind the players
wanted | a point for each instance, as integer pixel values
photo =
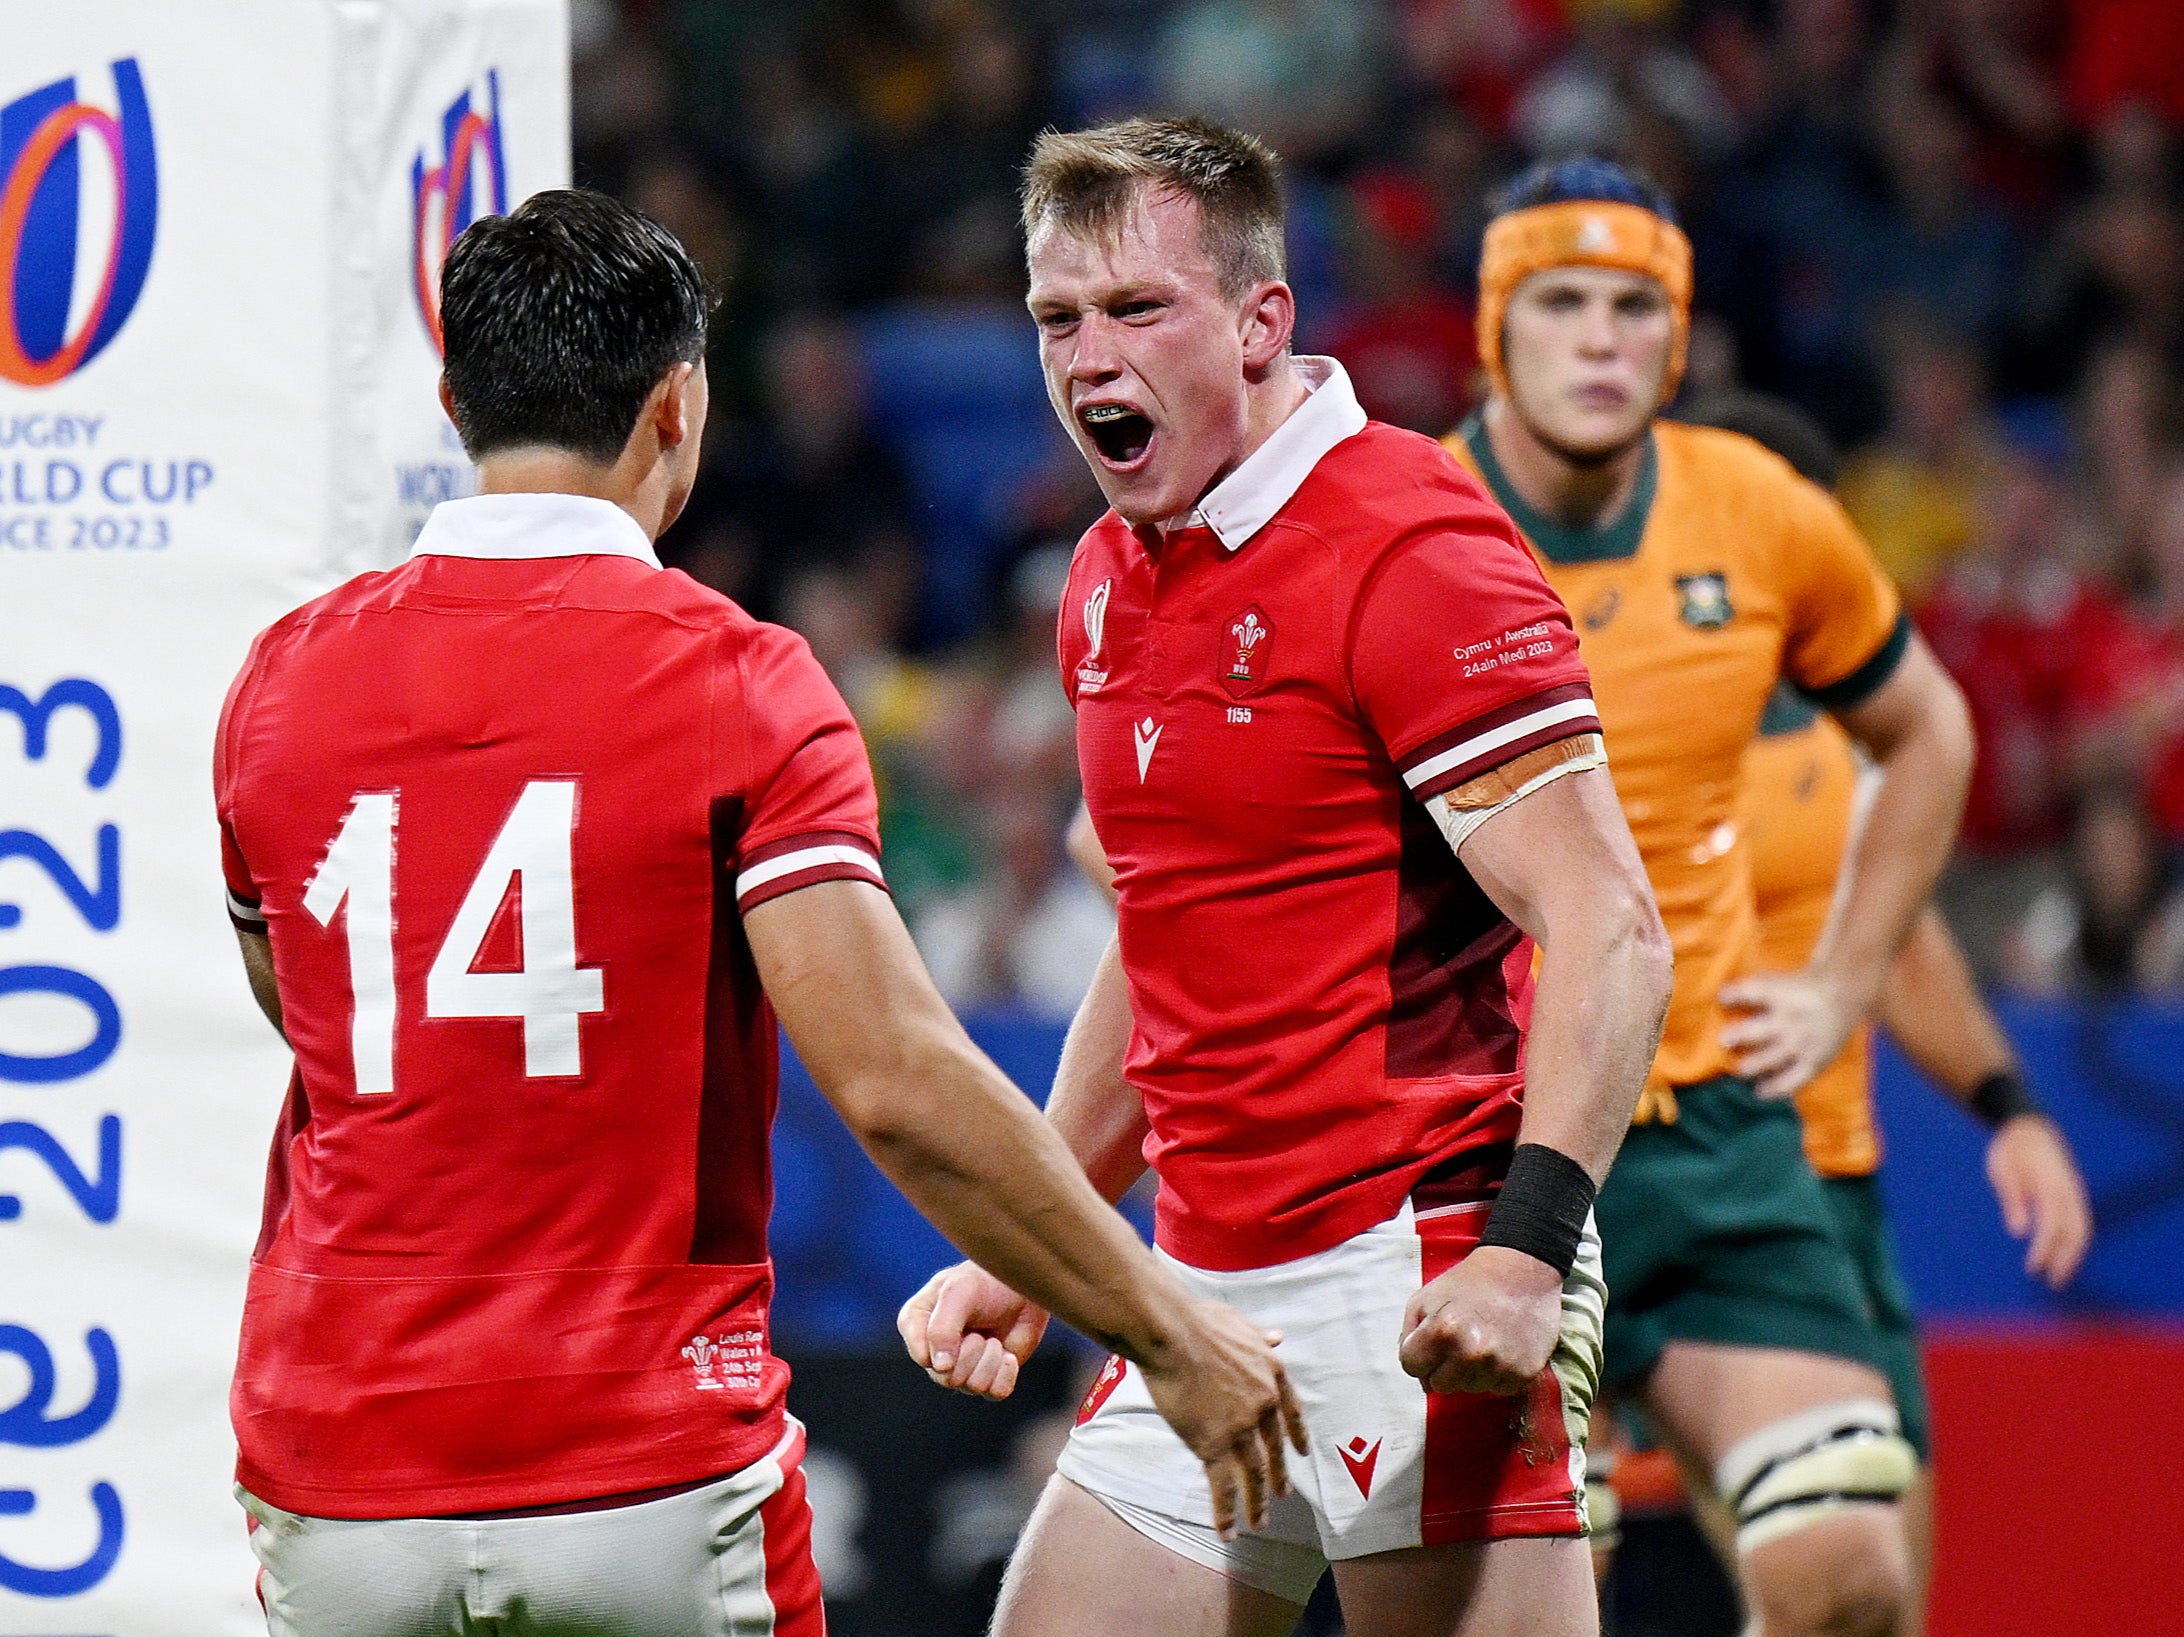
(1949, 230)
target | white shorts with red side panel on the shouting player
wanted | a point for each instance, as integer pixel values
(1390, 1466)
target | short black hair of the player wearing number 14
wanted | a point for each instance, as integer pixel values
(560, 320)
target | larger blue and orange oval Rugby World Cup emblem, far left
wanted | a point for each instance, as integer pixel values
(80, 208)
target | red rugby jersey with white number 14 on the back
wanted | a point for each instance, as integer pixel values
(499, 811)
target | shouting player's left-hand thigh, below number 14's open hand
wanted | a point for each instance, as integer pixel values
(1082, 1573)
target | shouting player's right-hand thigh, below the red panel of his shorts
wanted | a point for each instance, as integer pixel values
(1523, 1588)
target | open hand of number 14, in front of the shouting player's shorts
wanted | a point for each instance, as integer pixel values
(1228, 1398)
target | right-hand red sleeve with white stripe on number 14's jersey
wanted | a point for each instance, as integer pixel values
(809, 806)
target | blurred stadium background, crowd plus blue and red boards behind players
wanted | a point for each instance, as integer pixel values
(1947, 228)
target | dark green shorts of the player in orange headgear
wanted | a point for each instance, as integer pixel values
(1716, 1230)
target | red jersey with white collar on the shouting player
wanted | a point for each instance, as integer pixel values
(1327, 1003)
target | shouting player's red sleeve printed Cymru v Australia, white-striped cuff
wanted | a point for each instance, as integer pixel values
(1464, 662)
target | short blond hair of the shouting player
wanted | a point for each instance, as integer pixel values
(1089, 182)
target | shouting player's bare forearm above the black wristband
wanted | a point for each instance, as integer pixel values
(1604, 992)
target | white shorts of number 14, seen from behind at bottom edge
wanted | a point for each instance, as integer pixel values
(728, 1560)
